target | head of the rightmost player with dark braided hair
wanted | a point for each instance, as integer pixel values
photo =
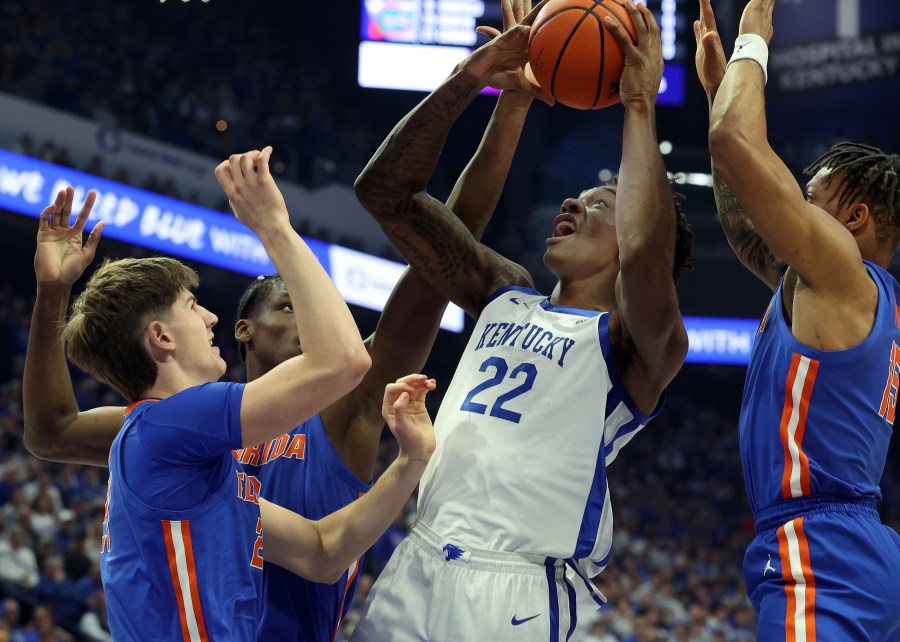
(851, 178)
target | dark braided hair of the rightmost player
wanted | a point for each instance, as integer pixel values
(869, 175)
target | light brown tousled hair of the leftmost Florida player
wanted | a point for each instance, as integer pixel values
(103, 333)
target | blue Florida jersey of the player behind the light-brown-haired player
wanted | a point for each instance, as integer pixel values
(301, 471)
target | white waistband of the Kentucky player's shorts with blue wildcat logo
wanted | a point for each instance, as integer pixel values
(451, 550)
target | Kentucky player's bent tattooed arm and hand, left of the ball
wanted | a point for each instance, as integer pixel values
(392, 185)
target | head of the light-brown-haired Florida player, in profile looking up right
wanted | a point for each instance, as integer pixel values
(129, 318)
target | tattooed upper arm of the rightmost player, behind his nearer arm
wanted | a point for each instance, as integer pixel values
(743, 238)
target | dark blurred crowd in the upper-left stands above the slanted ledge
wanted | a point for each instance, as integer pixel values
(177, 72)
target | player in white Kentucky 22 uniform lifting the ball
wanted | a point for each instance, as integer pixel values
(585, 367)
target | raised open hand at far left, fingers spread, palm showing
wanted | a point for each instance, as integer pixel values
(60, 257)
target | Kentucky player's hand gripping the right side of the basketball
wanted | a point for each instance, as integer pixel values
(643, 59)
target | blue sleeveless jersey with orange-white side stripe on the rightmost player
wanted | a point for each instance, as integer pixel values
(819, 423)
